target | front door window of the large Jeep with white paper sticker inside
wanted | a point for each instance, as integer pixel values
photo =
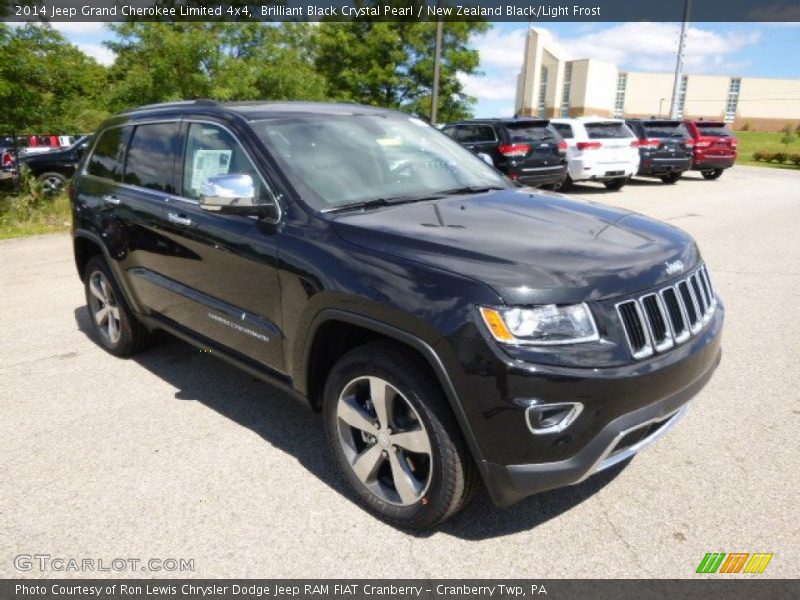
(211, 151)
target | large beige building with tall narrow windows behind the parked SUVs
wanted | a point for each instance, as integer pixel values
(552, 85)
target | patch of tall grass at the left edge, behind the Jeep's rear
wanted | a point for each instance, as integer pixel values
(52, 216)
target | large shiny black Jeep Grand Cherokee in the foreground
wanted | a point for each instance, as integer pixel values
(449, 325)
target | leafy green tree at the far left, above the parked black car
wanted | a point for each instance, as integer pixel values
(47, 85)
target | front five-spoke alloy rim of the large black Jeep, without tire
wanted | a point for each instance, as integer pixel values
(384, 441)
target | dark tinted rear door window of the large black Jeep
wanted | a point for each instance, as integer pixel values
(151, 156)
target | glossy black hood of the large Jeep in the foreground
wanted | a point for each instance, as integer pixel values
(531, 248)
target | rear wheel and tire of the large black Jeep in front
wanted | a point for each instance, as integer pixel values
(112, 320)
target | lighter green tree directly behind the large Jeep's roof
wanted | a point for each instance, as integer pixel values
(158, 62)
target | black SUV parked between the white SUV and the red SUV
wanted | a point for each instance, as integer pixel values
(665, 148)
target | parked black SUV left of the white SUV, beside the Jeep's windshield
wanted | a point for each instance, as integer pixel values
(529, 151)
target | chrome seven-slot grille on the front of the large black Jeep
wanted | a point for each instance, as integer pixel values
(657, 321)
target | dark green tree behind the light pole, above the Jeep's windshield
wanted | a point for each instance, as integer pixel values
(391, 64)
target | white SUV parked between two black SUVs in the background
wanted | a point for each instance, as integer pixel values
(599, 149)
